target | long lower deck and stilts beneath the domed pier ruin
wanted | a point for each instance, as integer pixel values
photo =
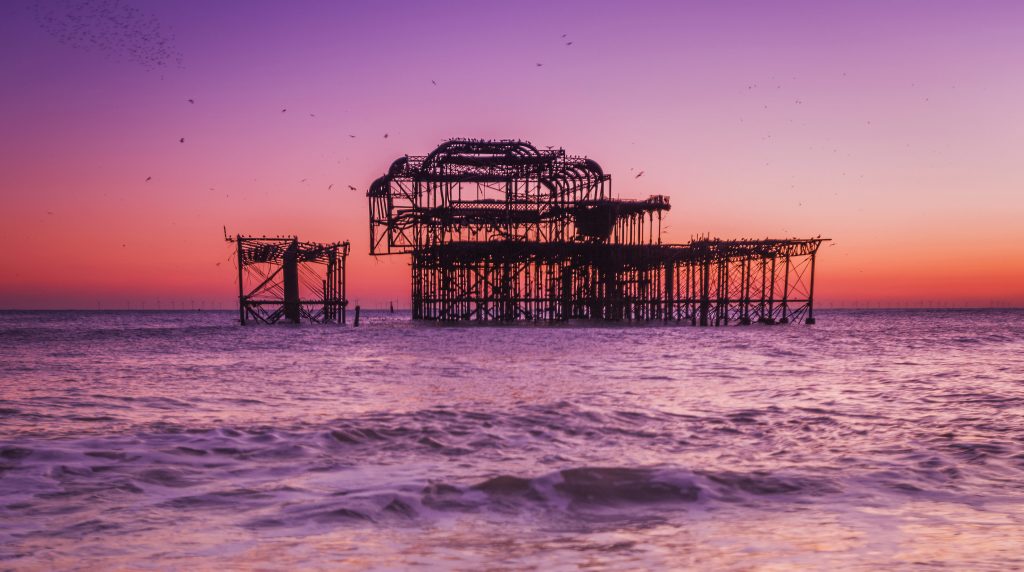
(708, 283)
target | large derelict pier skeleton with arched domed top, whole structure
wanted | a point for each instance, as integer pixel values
(503, 232)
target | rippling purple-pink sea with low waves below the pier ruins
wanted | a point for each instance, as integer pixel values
(181, 441)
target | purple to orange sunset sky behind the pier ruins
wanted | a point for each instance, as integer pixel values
(894, 128)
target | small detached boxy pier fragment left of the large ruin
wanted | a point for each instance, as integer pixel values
(282, 279)
